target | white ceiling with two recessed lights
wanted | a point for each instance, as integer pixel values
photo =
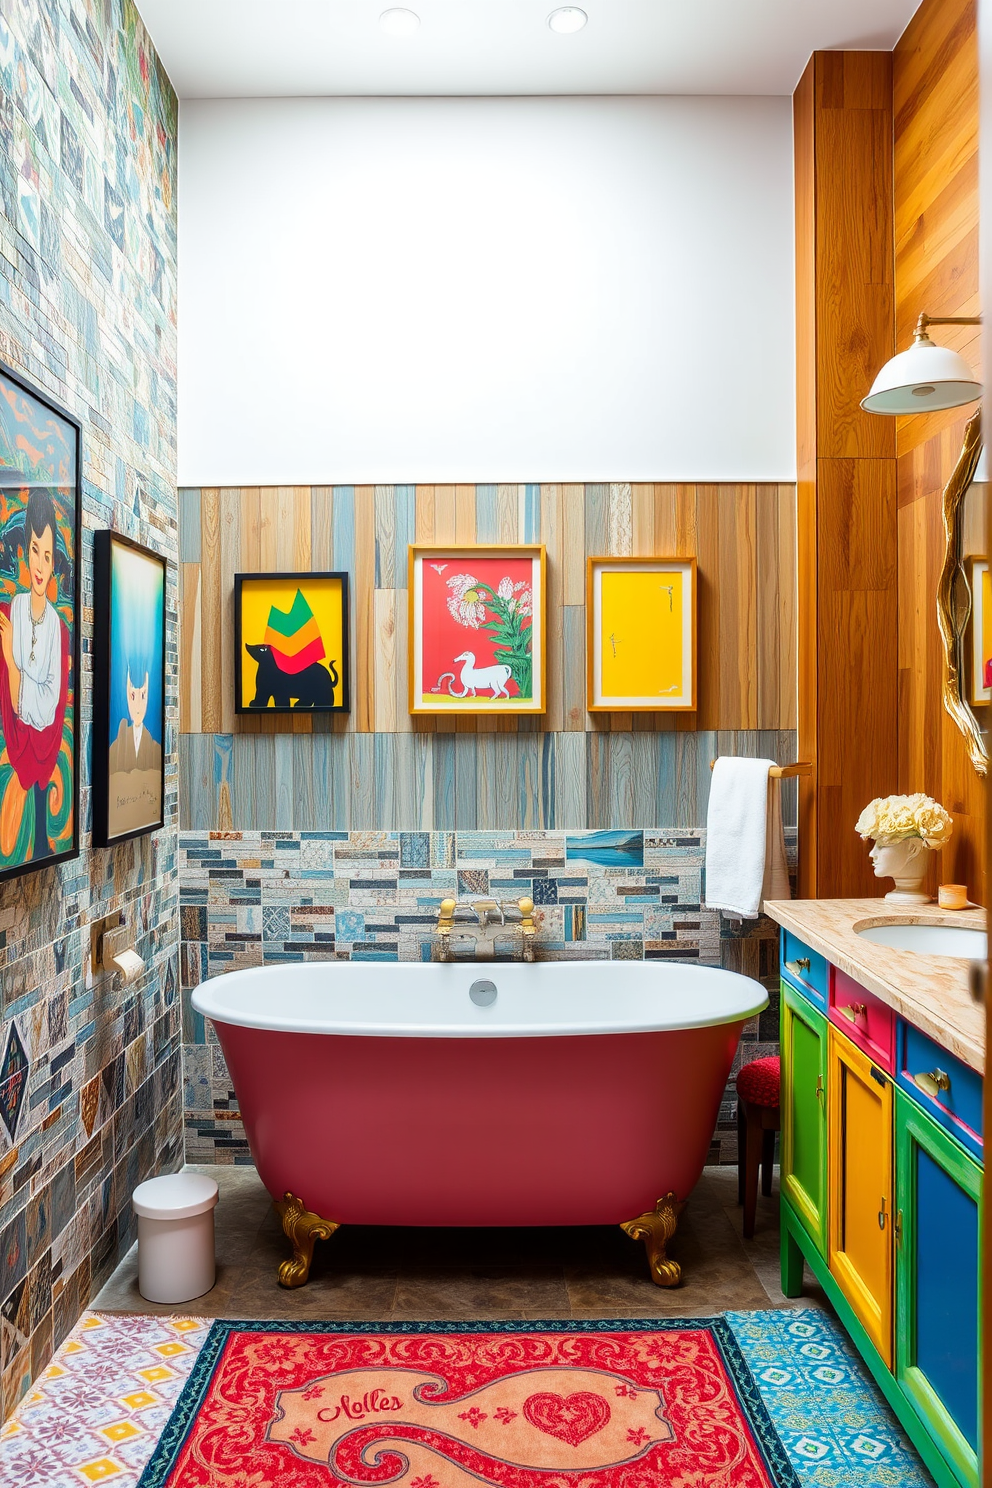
(307, 48)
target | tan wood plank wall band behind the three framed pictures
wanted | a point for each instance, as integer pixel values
(743, 535)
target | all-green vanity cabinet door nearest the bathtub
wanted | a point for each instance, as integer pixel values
(804, 1108)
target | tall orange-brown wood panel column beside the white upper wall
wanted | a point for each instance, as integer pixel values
(848, 658)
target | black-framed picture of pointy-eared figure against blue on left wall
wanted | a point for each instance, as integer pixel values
(129, 786)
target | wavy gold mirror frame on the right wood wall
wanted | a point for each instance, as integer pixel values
(954, 597)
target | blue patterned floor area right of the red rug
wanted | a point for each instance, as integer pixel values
(837, 1426)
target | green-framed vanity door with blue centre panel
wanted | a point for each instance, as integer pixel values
(938, 1303)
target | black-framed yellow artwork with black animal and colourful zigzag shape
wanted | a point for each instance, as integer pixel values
(292, 644)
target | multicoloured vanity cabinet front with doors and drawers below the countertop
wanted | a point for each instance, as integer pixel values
(881, 1188)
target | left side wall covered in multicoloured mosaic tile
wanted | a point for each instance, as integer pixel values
(90, 1085)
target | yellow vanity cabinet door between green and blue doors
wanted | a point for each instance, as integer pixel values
(860, 1188)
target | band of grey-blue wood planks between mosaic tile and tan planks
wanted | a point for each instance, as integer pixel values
(460, 782)
